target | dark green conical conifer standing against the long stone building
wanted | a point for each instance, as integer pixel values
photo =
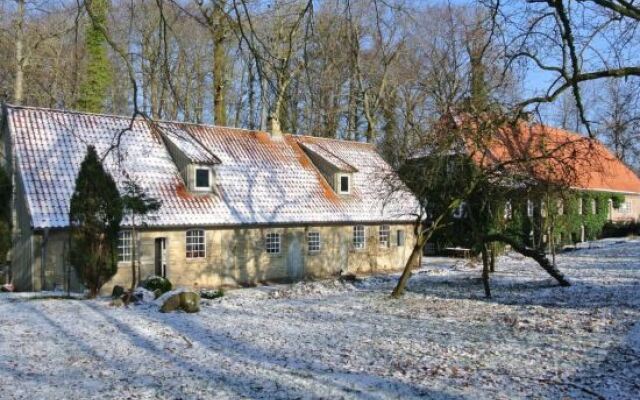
(95, 215)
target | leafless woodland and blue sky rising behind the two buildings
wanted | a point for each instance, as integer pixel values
(381, 71)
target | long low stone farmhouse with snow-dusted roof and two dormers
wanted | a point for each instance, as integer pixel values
(238, 207)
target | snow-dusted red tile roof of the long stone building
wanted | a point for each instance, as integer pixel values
(259, 180)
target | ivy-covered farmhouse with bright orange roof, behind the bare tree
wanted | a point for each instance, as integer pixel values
(579, 186)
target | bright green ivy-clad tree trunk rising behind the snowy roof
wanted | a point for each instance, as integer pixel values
(97, 77)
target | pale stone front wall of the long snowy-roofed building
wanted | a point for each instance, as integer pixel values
(236, 257)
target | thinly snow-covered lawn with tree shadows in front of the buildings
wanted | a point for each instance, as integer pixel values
(332, 340)
